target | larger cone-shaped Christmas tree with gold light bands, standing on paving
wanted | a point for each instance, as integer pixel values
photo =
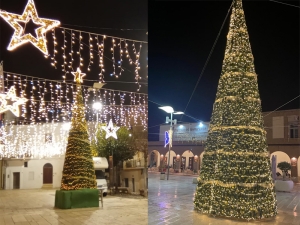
(235, 177)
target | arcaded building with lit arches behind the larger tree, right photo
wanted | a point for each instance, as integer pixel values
(188, 143)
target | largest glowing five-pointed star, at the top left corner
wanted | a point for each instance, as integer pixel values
(19, 37)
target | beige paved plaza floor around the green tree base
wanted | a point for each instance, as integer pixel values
(36, 207)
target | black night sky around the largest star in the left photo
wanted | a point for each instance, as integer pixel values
(107, 17)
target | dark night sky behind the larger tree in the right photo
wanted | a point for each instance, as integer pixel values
(181, 35)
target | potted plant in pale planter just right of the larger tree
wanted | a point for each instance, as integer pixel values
(284, 184)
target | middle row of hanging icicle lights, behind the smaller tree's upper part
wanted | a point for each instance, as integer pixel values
(50, 100)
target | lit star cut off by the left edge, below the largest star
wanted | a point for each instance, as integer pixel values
(14, 108)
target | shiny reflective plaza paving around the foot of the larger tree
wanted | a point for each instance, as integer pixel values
(171, 202)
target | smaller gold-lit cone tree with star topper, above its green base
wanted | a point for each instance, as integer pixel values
(78, 171)
